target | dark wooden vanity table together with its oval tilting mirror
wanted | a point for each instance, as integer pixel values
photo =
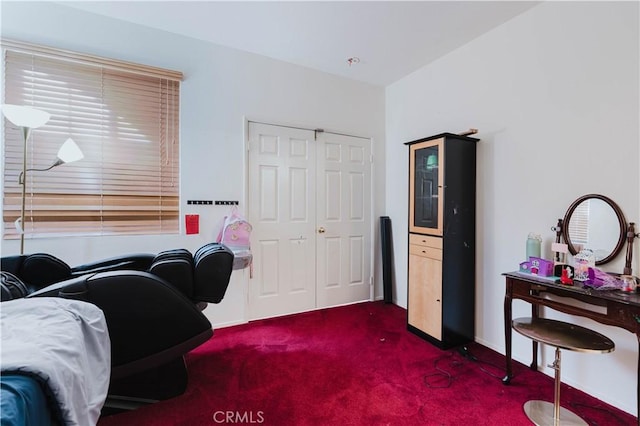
(606, 235)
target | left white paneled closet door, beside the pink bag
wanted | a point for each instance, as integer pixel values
(282, 211)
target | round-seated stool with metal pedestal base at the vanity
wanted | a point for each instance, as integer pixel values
(562, 335)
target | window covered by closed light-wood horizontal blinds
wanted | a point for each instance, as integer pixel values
(125, 119)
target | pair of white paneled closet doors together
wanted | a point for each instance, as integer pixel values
(310, 207)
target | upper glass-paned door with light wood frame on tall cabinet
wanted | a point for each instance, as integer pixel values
(426, 180)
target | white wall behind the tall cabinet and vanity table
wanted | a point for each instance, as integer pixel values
(554, 93)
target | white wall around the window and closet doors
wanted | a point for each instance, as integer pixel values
(222, 88)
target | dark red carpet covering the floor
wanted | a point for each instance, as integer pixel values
(352, 365)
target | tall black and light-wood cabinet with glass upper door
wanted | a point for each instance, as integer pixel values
(441, 275)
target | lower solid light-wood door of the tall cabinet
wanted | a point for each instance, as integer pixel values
(425, 292)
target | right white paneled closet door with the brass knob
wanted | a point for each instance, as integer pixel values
(343, 238)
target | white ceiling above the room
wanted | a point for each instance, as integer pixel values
(391, 39)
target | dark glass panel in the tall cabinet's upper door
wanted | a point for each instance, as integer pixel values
(426, 183)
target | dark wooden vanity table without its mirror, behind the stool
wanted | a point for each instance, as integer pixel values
(617, 308)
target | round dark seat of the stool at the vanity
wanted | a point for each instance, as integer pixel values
(563, 335)
